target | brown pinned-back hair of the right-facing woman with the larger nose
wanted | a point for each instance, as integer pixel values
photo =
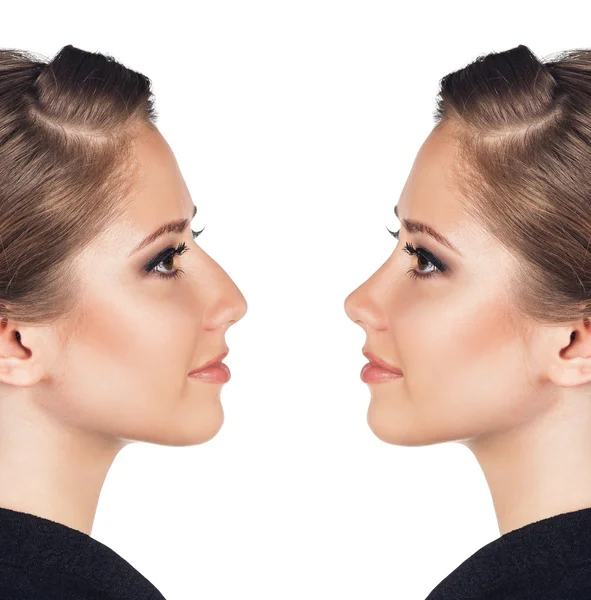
(65, 132)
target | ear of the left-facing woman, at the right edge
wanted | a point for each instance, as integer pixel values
(570, 359)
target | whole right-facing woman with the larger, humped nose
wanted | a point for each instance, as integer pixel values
(104, 338)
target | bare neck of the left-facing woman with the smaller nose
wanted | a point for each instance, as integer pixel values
(541, 468)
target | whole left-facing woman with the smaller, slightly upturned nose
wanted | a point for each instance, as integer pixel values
(482, 310)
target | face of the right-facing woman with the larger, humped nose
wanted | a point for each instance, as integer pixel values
(147, 318)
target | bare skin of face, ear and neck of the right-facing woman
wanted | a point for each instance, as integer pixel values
(67, 409)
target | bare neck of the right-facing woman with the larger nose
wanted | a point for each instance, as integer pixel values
(51, 469)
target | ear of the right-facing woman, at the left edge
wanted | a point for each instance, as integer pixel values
(25, 353)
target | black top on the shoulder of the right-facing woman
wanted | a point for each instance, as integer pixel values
(41, 559)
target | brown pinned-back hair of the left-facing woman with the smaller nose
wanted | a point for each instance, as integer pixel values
(524, 165)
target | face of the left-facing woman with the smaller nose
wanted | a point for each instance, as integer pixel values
(443, 317)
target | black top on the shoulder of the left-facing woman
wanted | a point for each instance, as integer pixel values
(545, 560)
